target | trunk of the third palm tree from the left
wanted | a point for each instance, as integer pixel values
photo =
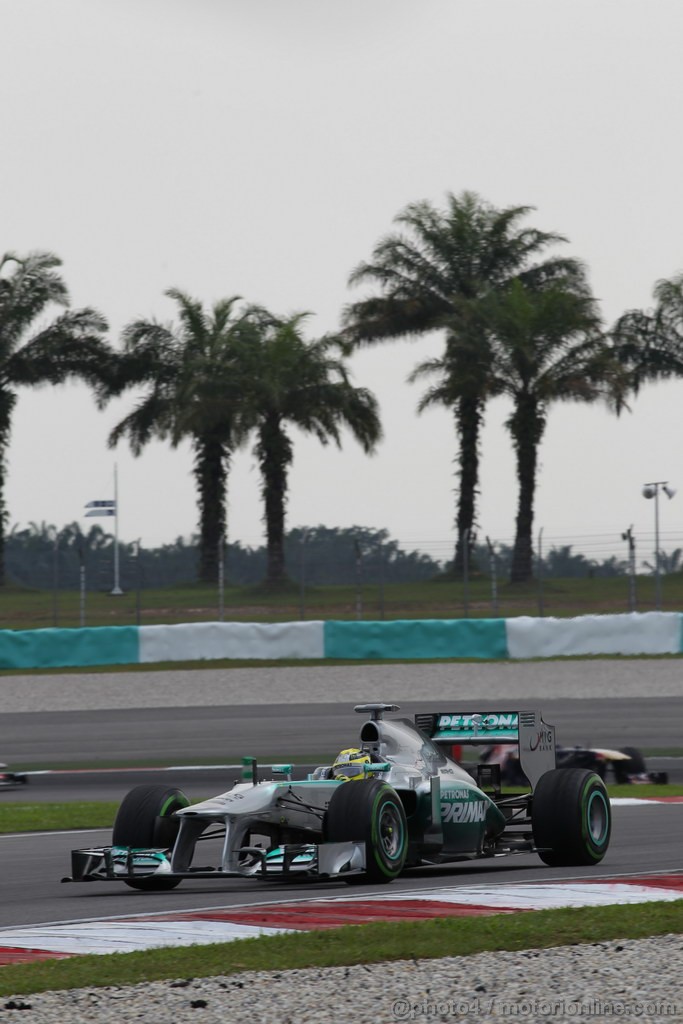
(275, 454)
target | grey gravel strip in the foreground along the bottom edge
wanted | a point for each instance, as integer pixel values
(628, 979)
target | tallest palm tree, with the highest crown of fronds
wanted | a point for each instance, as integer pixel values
(432, 275)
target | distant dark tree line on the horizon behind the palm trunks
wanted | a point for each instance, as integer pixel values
(46, 558)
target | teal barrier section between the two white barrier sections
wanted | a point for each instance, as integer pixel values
(417, 639)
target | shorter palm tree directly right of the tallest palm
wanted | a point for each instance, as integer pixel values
(547, 347)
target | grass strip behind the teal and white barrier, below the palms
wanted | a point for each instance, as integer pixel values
(22, 608)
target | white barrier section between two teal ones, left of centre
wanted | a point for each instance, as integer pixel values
(195, 642)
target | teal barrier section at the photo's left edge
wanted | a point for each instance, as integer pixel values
(56, 649)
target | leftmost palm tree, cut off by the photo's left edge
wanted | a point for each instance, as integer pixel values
(70, 347)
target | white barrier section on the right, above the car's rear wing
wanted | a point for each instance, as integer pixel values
(650, 633)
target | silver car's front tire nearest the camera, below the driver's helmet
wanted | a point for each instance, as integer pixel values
(372, 813)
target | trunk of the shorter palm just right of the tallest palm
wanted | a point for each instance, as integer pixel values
(527, 426)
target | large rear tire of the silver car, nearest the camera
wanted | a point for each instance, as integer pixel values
(571, 818)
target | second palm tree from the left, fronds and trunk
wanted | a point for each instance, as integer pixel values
(191, 375)
